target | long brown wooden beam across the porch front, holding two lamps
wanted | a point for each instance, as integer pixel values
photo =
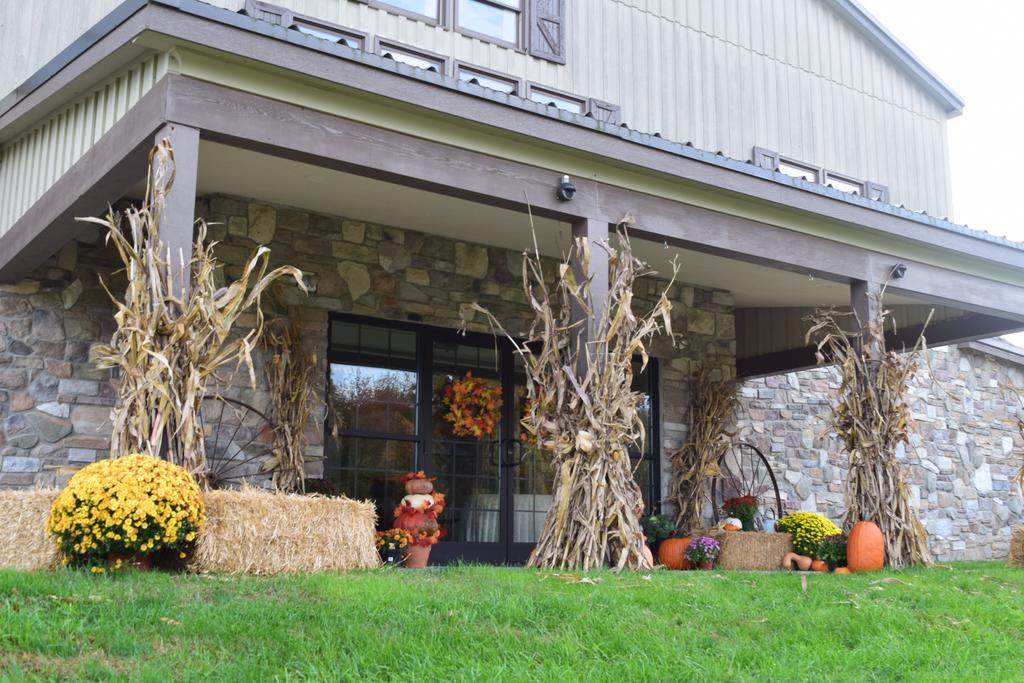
(289, 132)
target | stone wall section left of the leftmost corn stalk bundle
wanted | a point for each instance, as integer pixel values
(54, 402)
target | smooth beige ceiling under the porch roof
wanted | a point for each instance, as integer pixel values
(230, 170)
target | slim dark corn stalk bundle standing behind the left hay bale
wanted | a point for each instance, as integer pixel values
(293, 403)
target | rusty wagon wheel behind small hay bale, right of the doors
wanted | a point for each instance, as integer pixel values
(744, 471)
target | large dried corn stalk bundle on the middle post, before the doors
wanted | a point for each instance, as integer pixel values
(583, 411)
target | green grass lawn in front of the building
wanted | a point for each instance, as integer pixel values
(961, 622)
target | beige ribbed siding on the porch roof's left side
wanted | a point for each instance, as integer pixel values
(32, 162)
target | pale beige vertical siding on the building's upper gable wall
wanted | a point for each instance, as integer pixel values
(727, 75)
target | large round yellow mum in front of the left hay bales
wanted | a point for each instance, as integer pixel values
(135, 505)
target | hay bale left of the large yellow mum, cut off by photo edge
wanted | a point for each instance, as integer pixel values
(24, 543)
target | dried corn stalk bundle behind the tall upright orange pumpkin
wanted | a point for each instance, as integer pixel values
(872, 417)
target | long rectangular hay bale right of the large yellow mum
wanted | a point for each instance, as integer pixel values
(257, 532)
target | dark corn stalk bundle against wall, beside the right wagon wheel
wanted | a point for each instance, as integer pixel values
(712, 407)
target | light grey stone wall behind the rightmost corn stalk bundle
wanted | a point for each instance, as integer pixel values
(964, 452)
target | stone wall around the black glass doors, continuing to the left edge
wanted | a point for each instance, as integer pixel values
(56, 404)
